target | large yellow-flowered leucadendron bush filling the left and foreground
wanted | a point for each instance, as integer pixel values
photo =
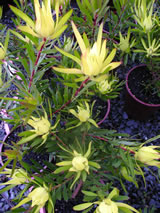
(52, 103)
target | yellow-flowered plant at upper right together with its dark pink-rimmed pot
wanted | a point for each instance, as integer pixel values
(143, 81)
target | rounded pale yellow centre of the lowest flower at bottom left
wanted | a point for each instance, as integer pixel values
(39, 197)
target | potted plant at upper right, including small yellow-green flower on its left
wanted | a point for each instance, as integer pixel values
(142, 41)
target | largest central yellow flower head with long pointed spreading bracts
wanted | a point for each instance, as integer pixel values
(94, 62)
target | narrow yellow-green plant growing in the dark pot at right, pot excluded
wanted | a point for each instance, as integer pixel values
(148, 48)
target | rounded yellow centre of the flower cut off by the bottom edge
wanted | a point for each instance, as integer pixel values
(107, 205)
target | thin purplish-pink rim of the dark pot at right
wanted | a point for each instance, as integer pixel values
(131, 94)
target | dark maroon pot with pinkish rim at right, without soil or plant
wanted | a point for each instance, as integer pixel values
(134, 107)
